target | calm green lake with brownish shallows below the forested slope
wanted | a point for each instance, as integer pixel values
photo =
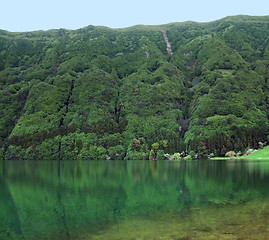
(134, 200)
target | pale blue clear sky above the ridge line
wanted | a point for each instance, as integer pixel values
(31, 15)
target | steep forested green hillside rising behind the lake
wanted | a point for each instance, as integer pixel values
(135, 93)
